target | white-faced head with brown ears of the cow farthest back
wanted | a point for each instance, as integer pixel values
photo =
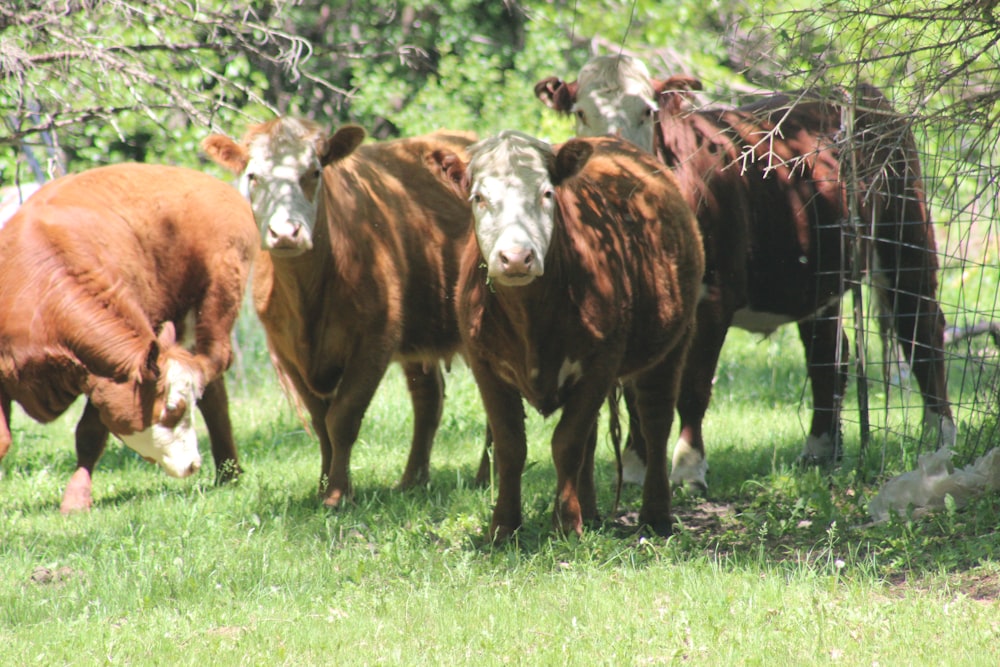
(614, 95)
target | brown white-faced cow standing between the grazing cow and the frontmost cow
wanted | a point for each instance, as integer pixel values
(363, 246)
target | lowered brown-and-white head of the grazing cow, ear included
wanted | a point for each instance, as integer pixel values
(153, 411)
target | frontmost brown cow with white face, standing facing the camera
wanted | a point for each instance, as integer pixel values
(584, 269)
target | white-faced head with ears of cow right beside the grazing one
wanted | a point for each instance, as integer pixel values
(280, 165)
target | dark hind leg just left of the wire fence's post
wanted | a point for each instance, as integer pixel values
(828, 378)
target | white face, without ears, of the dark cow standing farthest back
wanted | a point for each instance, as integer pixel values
(615, 96)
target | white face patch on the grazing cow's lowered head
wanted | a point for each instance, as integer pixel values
(171, 442)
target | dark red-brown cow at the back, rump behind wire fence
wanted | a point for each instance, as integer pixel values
(765, 182)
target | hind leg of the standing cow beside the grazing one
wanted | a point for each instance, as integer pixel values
(427, 396)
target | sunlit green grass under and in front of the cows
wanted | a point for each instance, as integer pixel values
(776, 562)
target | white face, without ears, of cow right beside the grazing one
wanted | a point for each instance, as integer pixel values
(281, 180)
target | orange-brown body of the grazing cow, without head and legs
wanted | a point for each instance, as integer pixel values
(92, 265)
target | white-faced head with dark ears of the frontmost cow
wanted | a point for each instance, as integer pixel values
(511, 180)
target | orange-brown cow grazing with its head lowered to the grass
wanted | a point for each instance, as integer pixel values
(104, 277)
